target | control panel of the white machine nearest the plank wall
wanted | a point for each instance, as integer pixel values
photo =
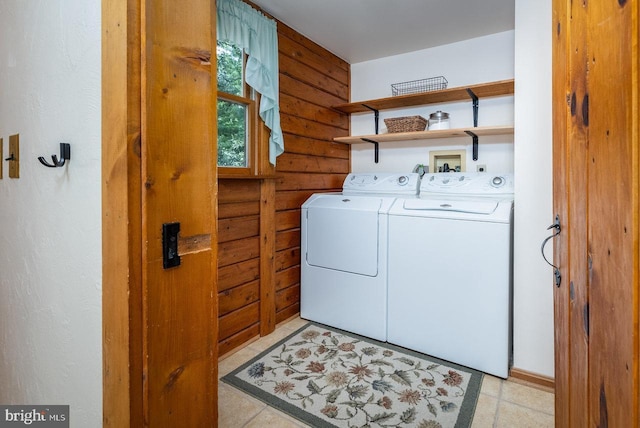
(391, 183)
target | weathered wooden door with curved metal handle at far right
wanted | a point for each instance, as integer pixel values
(595, 92)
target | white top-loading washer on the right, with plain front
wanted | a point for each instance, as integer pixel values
(451, 268)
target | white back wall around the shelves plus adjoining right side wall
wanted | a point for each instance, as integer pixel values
(523, 54)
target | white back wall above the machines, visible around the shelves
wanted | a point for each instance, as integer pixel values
(480, 60)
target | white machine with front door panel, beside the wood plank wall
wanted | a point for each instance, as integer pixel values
(344, 252)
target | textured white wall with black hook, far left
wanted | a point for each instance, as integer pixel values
(50, 219)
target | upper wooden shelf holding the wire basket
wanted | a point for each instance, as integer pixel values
(483, 90)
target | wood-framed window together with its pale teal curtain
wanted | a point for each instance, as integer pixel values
(247, 78)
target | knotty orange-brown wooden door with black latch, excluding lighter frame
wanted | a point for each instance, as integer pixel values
(179, 185)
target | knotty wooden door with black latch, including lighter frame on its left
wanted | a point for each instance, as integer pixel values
(159, 166)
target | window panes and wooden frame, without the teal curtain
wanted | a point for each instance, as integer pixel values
(236, 112)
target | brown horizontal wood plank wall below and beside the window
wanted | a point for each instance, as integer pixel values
(311, 81)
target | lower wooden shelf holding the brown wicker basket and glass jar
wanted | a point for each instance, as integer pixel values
(427, 135)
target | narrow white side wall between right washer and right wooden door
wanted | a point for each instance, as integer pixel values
(533, 298)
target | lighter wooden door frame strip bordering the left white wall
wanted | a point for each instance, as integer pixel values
(115, 216)
